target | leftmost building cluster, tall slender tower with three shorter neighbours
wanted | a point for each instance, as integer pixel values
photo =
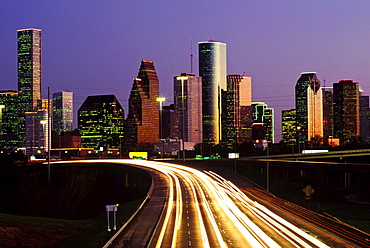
(26, 118)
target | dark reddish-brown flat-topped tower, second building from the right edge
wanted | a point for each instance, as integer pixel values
(346, 110)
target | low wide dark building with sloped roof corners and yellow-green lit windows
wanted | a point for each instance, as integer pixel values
(101, 122)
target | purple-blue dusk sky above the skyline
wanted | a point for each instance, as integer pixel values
(95, 47)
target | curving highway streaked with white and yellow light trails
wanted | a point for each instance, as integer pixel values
(202, 209)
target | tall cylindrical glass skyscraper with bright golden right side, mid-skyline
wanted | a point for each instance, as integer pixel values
(212, 69)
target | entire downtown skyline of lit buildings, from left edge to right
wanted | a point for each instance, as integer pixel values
(211, 109)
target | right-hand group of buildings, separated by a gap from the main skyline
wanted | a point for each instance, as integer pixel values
(326, 116)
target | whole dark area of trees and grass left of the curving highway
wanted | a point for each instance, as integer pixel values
(70, 212)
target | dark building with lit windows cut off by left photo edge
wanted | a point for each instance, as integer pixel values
(9, 128)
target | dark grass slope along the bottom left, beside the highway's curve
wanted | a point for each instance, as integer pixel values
(22, 231)
